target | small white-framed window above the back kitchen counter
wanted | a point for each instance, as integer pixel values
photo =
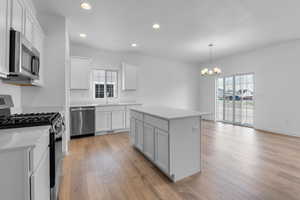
(105, 83)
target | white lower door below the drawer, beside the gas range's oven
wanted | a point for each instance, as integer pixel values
(40, 180)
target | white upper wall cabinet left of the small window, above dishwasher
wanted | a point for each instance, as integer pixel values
(80, 73)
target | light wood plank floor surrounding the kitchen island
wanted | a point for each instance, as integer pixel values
(238, 164)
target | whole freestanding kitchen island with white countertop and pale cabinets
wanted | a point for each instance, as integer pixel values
(170, 138)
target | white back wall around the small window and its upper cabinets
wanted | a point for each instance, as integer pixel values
(160, 82)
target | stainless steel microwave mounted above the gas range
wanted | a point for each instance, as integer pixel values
(24, 59)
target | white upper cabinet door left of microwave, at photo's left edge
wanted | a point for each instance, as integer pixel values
(4, 36)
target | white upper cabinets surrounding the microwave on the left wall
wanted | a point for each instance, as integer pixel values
(20, 16)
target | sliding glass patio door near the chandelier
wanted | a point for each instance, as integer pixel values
(235, 99)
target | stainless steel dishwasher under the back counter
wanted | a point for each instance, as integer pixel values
(82, 121)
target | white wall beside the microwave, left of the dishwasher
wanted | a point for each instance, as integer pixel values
(52, 94)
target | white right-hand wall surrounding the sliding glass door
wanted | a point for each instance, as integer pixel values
(277, 70)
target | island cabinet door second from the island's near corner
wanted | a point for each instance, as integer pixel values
(149, 141)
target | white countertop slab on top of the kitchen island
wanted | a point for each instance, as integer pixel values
(168, 113)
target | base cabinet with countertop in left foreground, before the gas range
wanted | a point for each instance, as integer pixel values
(24, 168)
